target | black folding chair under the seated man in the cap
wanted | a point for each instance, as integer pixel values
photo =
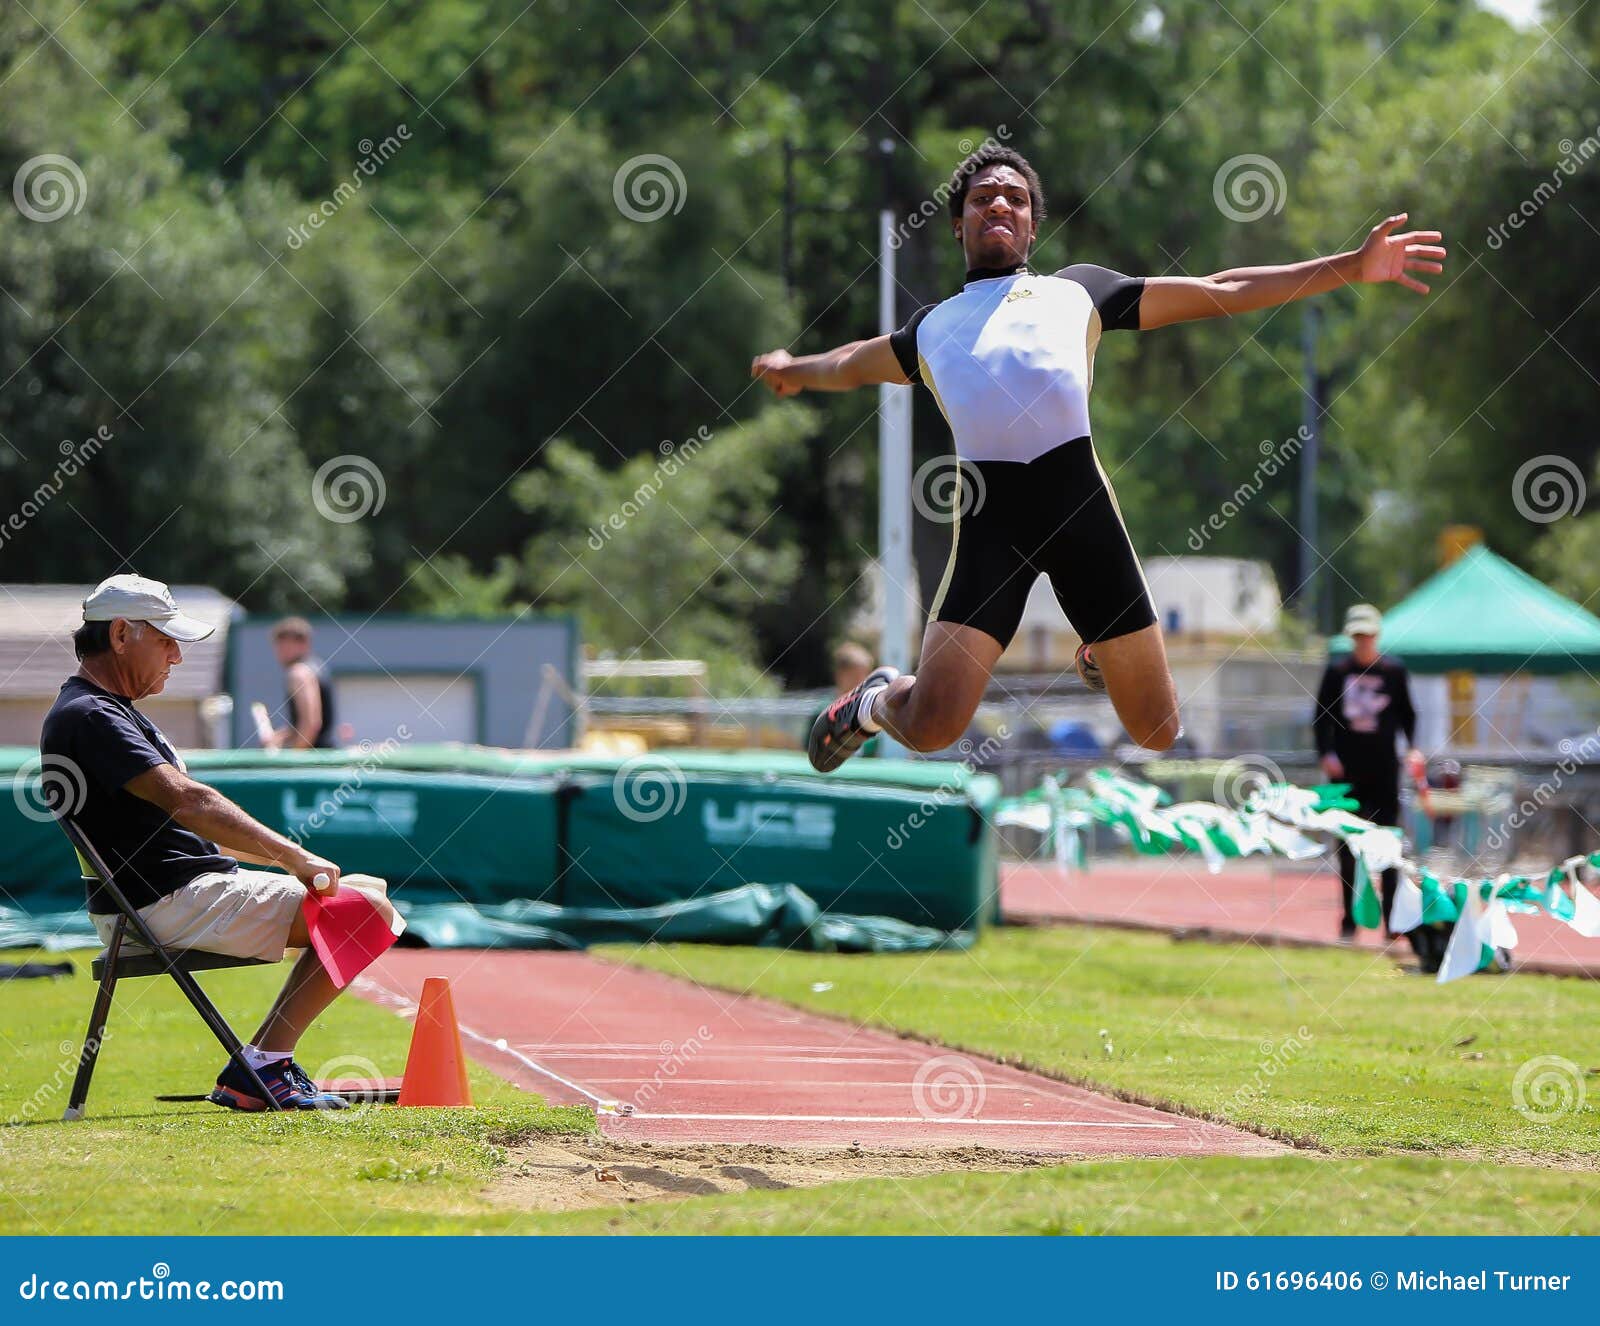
(113, 967)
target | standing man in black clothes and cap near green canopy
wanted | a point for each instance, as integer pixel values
(1362, 706)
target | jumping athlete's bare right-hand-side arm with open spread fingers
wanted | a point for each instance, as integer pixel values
(1385, 257)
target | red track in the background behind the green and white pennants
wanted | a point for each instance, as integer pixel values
(1246, 901)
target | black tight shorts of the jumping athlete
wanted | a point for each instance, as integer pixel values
(1055, 514)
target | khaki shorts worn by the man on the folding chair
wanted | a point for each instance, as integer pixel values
(246, 914)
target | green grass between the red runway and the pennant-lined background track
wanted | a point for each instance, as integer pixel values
(1334, 1048)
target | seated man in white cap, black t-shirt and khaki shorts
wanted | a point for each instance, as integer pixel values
(175, 845)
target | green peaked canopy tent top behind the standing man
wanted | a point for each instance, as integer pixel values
(1486, 615)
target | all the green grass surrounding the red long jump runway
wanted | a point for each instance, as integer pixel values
(1402, 1085)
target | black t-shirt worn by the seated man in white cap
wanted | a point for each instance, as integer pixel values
(98, 741)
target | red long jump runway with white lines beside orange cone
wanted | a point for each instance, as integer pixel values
(665, 1060)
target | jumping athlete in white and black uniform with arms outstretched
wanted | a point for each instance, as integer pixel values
(1010, 362)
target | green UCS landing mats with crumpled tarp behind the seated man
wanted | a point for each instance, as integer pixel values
(526, 849)
